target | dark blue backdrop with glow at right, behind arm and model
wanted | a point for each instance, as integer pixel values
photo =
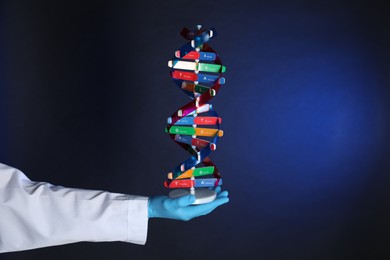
(85, 94)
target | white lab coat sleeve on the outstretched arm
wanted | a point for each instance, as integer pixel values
(38, 214)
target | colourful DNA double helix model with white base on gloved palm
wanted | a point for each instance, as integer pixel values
(197, 71)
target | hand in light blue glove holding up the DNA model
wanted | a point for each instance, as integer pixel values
(180, 208)
